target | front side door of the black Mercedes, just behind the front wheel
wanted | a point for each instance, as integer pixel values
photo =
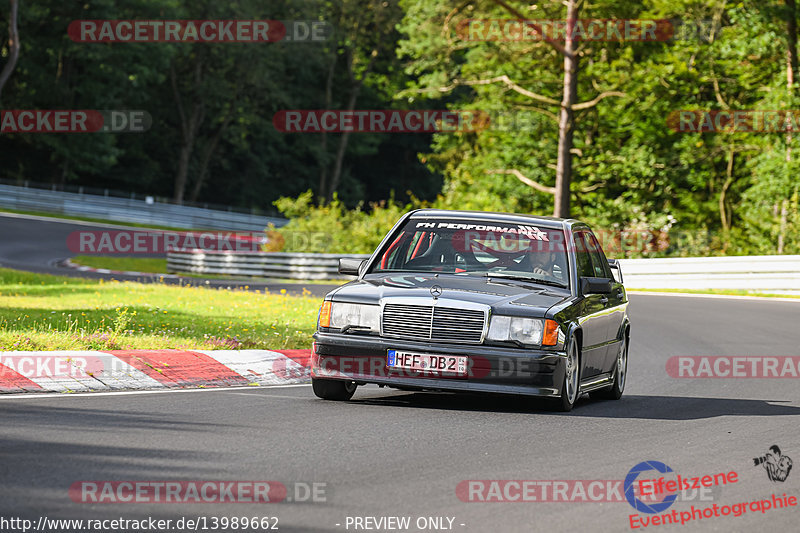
(591, 312)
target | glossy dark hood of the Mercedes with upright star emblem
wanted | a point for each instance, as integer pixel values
(502, 295)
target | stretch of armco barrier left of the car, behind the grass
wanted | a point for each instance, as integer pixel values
(264, 265)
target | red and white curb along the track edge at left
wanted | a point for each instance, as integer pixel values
(84, 371)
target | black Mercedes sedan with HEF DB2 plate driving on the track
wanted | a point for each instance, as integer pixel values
(477, 302)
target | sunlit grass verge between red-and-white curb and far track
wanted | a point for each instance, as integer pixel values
(43, 312)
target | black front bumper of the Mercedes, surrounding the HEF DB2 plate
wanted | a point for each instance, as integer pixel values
(496, 369)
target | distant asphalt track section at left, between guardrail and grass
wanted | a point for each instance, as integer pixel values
(38, 244)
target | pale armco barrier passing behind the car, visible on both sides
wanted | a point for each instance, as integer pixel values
(771, 273)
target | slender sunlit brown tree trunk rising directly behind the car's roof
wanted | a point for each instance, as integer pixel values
(566, 118)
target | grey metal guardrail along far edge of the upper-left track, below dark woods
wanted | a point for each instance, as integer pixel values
(130, 210)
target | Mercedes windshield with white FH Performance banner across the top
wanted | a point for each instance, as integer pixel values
(493, 249)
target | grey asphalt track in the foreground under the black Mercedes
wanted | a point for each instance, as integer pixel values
(391, 453)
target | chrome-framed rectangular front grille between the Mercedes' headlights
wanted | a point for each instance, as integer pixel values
(425, 322)
